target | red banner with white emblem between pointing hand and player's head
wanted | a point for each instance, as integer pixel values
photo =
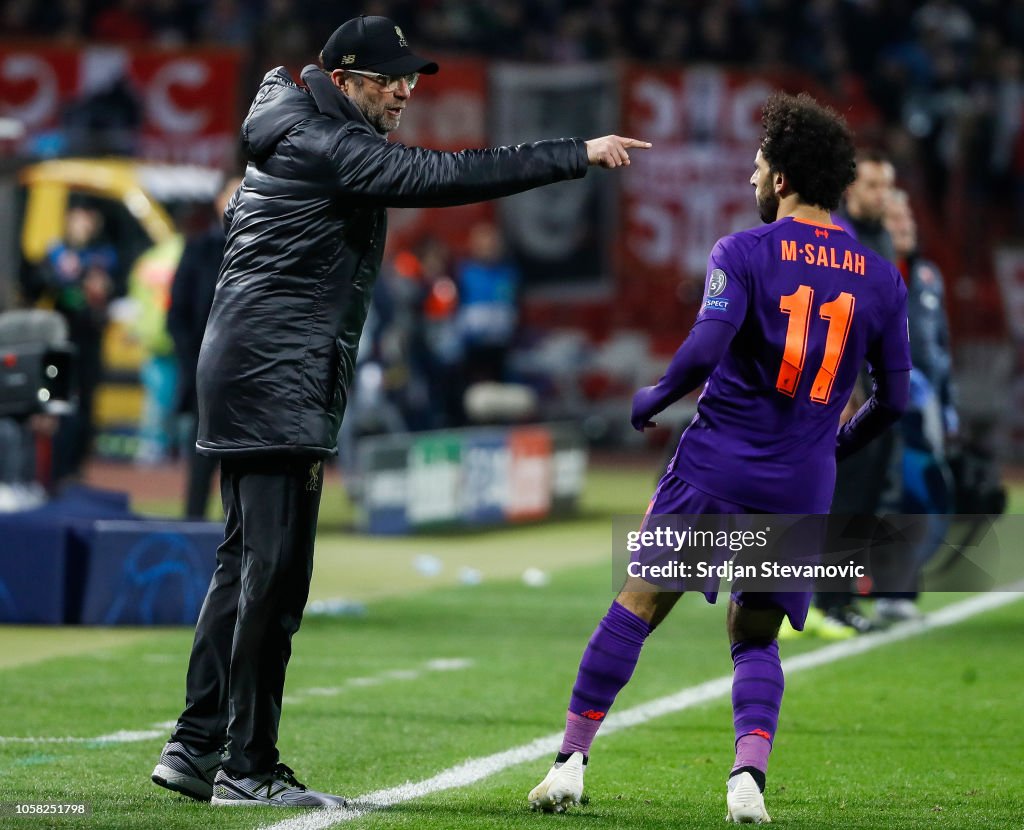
(694, 187)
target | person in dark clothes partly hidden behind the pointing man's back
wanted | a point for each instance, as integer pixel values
(192, 298)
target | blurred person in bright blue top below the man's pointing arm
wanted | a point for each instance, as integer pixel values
(489, 288)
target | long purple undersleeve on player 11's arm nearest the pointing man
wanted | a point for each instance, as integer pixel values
(691, 367)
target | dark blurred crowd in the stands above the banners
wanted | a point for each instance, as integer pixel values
(948, 76)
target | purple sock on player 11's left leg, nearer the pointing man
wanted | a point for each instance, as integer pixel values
(607, 667)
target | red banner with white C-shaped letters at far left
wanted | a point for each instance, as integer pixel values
(166, 105)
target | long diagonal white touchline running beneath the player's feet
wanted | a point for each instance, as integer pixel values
(476, 770)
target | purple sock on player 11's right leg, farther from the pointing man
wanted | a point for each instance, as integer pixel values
(757, 698)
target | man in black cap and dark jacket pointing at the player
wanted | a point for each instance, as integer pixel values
(306, 238)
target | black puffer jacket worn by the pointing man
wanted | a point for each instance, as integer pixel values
(305, 246)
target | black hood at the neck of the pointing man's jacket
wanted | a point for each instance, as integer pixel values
(281, 104)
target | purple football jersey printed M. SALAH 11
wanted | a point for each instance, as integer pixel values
(809, 304)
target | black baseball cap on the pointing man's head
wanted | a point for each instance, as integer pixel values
(375, 45)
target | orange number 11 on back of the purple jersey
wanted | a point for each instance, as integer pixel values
(797, 308)
